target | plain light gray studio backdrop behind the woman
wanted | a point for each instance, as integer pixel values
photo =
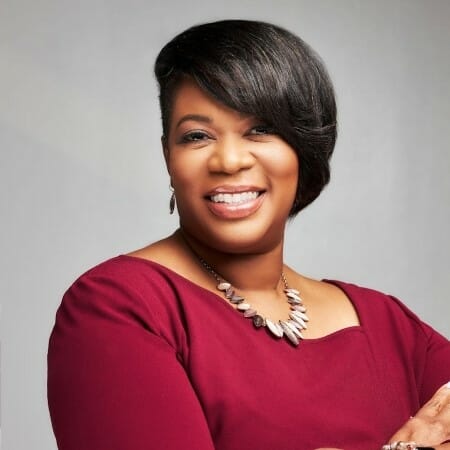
(83, 176)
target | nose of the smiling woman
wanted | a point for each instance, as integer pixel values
(230, 156)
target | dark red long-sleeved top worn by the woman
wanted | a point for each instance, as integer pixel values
(142, 358)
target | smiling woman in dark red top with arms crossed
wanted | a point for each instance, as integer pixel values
(206, 339)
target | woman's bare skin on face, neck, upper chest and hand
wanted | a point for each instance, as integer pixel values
(210, 145)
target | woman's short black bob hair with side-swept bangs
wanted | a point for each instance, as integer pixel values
(262, 70)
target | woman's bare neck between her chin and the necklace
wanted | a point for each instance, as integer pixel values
(245, 271)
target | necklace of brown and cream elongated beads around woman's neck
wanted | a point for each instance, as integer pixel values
(290, 328)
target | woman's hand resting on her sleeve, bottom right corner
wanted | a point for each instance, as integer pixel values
(430, 427)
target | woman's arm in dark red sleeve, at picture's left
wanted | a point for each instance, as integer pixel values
(113, 383)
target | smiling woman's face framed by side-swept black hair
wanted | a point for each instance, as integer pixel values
(235, 179)
